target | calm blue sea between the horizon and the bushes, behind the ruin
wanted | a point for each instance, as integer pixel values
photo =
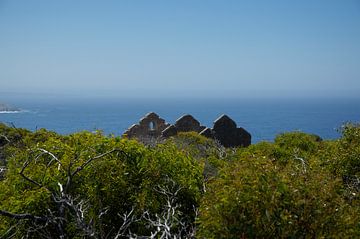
(264, 119)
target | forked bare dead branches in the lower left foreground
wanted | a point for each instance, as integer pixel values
(64, 201)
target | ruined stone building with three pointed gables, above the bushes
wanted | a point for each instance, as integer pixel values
(224, 130)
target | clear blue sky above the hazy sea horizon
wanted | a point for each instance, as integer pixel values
(189, 48)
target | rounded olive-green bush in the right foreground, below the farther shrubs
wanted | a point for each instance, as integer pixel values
(255, 198)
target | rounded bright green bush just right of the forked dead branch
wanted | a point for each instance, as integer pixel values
(129, 181)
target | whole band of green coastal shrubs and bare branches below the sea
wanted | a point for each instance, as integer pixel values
(88, 185)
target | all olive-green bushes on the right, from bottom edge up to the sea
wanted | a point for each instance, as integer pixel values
(284, 189)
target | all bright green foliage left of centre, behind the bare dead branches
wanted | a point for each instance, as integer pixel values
(115, 183)
